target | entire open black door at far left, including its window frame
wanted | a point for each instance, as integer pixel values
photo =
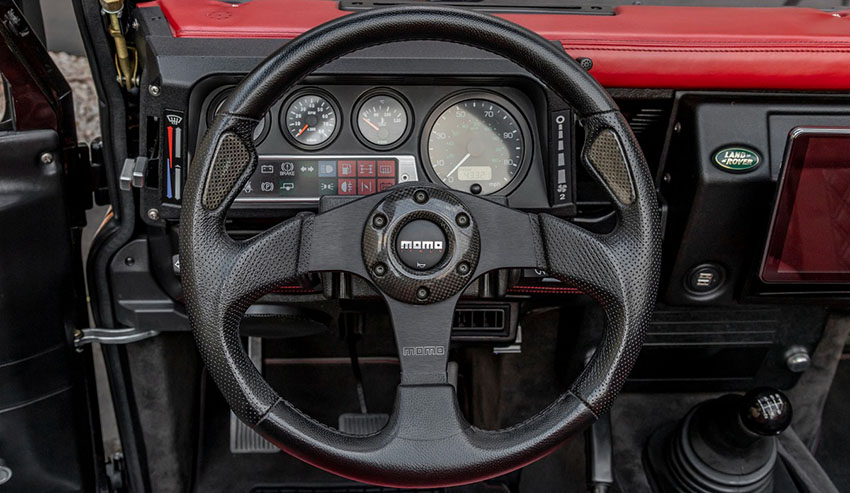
(49, 434)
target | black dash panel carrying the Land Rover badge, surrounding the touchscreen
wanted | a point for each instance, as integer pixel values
(723, 218)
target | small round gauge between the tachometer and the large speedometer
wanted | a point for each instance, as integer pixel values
(382, 119)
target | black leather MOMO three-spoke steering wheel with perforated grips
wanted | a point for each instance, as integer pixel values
(427, 442)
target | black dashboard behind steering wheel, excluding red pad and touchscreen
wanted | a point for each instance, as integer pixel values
(466, 119)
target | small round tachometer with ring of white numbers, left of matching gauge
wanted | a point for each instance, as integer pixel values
(309, 119)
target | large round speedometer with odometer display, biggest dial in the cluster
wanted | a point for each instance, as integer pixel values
(475, 143)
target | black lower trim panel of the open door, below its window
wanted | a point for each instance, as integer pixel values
(40, 385)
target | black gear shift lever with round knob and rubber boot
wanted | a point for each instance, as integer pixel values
(728, 443)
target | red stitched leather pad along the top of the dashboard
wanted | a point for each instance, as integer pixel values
(639, 46)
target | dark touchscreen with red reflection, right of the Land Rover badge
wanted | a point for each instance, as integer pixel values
(809, 240)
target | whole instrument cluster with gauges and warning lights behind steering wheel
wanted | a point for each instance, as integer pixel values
(358, 140)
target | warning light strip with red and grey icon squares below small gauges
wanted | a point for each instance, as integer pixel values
(294, 178)
